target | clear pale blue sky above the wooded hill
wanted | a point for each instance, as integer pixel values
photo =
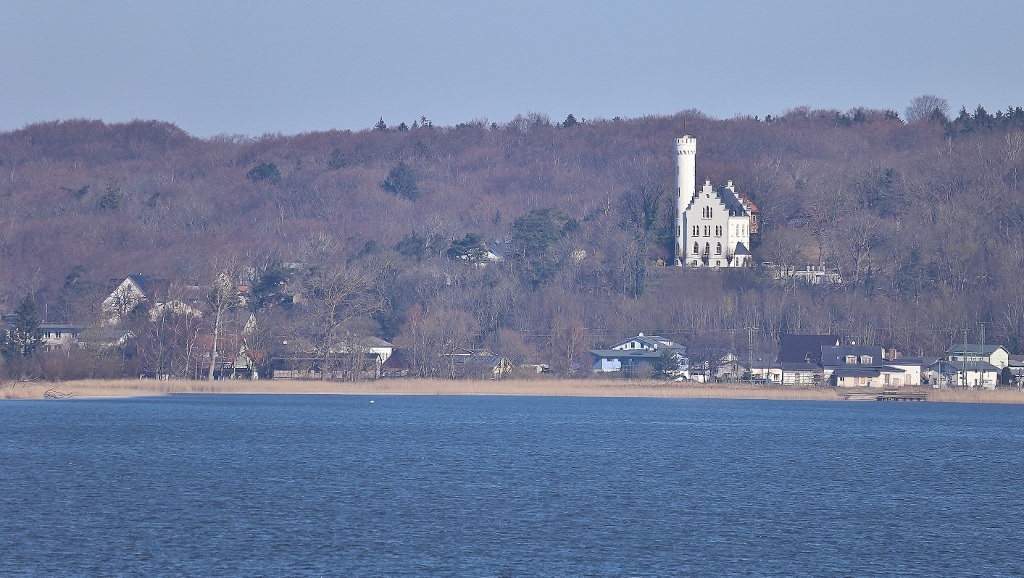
(257, 67)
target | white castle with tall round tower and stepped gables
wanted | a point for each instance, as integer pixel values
(713, 226)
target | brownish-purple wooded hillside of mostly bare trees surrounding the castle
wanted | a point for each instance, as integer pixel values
(386, 232)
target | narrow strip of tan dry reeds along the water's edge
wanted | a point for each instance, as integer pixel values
(96, 389)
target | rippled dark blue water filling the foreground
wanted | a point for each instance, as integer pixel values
(423, 486)
